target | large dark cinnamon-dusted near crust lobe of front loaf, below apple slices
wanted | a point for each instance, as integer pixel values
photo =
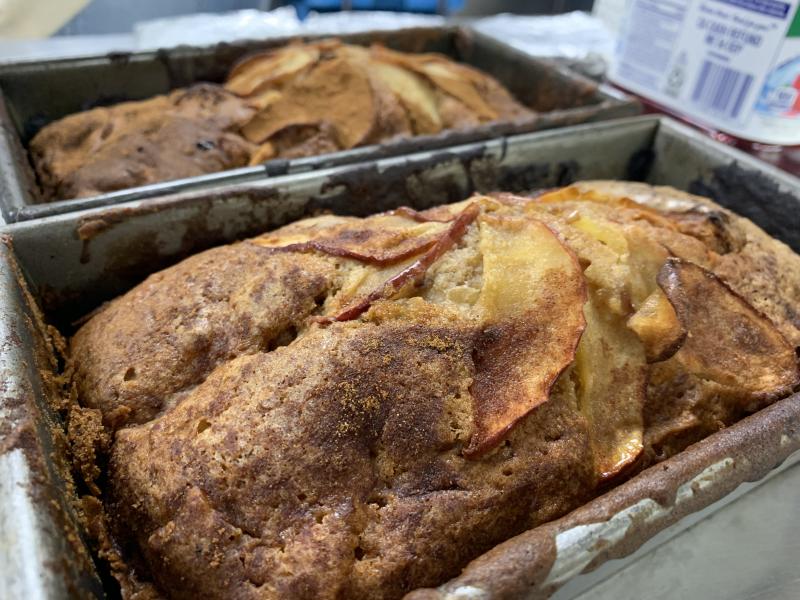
(369, 480)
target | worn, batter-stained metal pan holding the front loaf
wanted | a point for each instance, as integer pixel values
(73, 262)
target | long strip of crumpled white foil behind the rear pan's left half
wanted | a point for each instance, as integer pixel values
(209, 28)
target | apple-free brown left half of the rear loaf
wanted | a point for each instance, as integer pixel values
(184, 134)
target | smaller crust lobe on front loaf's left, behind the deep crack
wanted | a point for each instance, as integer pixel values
(212, 307)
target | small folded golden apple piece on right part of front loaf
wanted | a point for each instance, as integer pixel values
(658, 327)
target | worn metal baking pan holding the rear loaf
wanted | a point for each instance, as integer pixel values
(34, 94)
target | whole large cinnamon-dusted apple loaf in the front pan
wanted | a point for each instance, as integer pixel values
(354, 408)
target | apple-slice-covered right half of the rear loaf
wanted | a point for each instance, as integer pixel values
(328, 96)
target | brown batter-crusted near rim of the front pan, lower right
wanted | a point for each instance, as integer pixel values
(534, 564)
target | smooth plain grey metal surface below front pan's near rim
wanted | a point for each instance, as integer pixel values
(747, 550)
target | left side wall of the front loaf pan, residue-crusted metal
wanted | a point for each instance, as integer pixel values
(42, 555)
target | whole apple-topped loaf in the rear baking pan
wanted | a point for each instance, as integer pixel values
(300, 100)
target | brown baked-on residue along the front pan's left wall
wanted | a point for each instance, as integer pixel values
(33, 402)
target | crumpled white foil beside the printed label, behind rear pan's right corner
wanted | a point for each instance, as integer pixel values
(578, 37)
